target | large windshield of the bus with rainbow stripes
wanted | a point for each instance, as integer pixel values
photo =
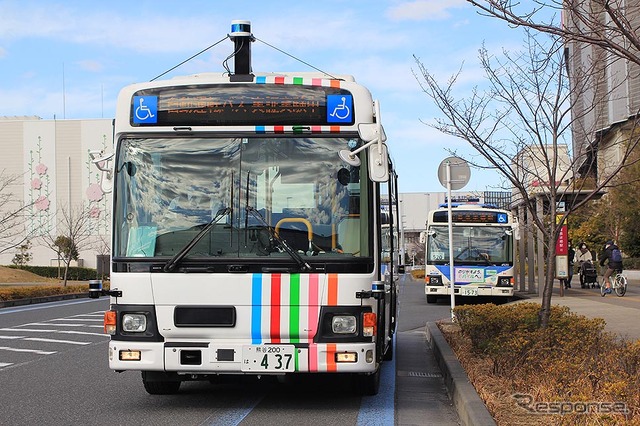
(250, 193)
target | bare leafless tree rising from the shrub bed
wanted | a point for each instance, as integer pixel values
(519, 124)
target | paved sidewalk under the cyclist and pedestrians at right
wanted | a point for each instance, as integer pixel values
(621, 314)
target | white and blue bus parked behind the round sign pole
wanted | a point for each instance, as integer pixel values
(483, 252)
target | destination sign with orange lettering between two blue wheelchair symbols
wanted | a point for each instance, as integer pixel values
(242, 105)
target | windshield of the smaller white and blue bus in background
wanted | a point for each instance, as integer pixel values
(474, 245)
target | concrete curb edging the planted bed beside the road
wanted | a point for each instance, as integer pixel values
(470, 407)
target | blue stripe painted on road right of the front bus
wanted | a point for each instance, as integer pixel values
(379, 409)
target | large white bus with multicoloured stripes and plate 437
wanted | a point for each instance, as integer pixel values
(247, 228)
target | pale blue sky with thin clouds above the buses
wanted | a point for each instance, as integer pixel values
(69, 59)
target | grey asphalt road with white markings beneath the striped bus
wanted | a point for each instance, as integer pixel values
(53, 371)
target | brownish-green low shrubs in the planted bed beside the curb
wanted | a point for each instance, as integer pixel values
(572, 359)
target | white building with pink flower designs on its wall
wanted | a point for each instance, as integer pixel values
(52, 163)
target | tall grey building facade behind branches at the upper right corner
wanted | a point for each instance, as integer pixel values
(605, 90)
